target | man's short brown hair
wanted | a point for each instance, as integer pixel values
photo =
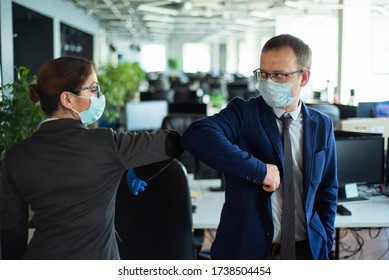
(301, 50)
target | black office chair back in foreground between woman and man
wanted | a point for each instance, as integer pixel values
(157, 223)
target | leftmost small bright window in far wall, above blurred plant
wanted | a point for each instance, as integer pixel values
(153, 58)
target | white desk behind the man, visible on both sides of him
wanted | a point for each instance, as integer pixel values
(373, 213)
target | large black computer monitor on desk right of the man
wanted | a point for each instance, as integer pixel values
(360, 160)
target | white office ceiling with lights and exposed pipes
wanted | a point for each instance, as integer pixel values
(199, 20)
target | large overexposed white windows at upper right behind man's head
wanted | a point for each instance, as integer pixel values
(364, 53)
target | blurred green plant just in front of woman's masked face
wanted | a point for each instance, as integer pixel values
(119, 83)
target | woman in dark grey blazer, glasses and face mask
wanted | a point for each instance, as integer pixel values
(69, 174)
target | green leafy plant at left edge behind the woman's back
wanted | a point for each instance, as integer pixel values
(19, 117)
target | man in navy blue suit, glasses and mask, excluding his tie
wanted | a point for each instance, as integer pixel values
(244, 142)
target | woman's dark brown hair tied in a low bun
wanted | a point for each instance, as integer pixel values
(58, 75)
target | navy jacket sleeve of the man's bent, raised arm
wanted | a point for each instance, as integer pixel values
(212, 140)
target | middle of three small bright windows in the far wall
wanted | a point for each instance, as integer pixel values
(196, 58)
